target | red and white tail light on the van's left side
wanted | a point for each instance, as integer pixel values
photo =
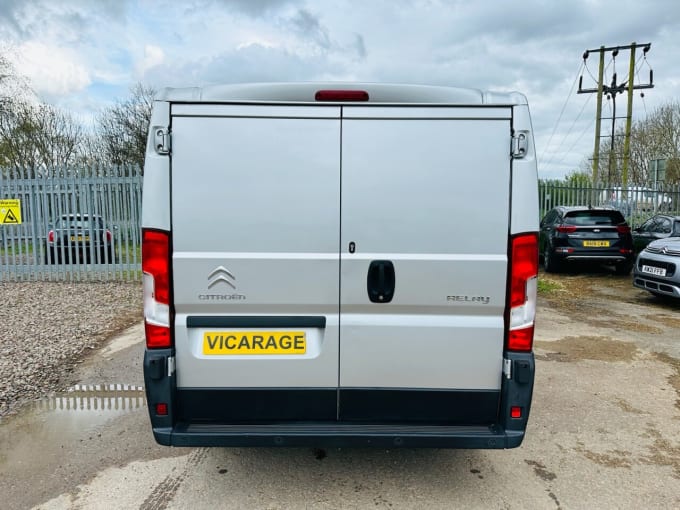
(156, 280)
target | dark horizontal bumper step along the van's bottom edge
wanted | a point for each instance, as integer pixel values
(339, 435)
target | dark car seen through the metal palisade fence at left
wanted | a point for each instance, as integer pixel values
(78, 238)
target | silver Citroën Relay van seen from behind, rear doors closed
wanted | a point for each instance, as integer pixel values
(339, 264)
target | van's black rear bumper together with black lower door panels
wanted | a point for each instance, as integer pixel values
(385, 418)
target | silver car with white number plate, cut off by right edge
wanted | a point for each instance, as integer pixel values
(657, 268)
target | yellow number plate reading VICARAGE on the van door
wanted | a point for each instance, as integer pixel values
(254, 342)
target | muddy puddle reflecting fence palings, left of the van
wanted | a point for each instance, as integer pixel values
(74, 415)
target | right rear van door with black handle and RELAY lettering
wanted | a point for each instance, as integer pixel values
(425, 222)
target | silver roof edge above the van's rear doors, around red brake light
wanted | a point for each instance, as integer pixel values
(305, 92)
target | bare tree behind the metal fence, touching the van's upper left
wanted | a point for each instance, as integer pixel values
(122, 129)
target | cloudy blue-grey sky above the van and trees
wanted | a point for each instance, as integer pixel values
(83, 55)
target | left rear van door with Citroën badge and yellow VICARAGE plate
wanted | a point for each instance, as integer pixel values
(255, 235)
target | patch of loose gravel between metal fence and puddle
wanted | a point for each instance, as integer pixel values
(46, 328)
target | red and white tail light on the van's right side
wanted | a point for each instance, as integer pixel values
(522, 293)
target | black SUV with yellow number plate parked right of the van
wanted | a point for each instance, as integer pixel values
(586, 234)
